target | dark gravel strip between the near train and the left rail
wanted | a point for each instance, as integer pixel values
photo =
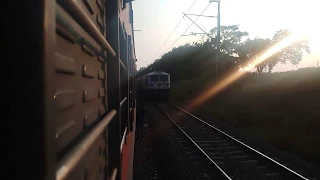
(165, 154)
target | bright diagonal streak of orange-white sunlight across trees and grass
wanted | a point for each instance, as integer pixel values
(292, 38)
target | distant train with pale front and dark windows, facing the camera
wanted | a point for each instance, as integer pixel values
(154, 86)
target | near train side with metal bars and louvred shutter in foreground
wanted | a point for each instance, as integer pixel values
(72, 90)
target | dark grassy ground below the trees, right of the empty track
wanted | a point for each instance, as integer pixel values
(283, 108)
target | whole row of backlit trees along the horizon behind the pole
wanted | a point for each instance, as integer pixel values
(236, 51)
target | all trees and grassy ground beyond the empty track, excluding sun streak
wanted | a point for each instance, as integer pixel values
(281, 108)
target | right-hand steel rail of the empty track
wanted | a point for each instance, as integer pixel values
(245, 145)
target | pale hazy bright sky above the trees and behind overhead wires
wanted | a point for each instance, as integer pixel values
(260, 18)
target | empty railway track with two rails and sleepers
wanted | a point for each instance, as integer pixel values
(233, 158)
